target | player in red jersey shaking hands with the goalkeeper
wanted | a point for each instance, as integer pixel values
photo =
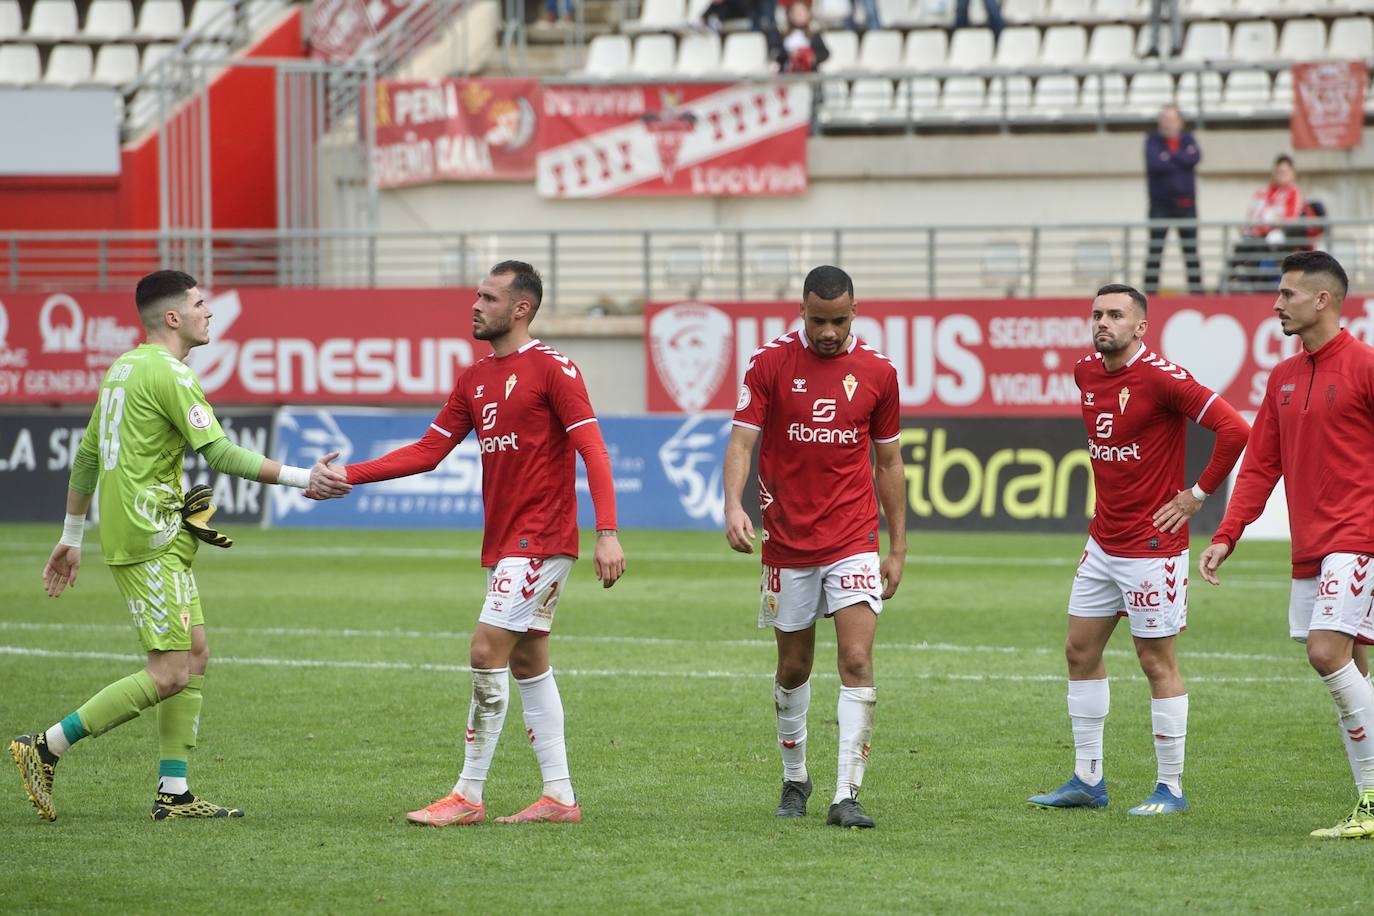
(530, 409)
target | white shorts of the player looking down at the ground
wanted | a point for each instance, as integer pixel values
(796, 599)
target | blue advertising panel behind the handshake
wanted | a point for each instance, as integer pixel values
(668, 472)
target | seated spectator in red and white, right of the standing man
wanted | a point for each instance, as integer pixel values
(1266, 240)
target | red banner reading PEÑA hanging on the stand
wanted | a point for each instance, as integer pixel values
(455, 131)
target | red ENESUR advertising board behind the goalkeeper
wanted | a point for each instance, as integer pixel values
(267, 347)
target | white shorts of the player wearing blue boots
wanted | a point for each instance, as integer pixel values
(1151, 591)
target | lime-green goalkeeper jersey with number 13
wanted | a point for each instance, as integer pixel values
(152, 407)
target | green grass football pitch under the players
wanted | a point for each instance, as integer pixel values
(337, 696)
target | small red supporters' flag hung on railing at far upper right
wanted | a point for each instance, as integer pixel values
(1329, 105)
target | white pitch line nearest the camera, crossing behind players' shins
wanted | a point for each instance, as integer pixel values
(589, 672)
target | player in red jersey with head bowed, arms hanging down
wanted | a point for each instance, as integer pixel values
(818, 399)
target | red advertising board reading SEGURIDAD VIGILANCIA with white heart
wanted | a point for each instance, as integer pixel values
(1000, 358)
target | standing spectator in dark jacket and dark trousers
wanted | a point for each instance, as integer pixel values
(1171, 154)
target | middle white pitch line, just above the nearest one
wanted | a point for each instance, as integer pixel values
(307, 632)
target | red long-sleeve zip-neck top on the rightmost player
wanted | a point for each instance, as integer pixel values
(1316, 429)
